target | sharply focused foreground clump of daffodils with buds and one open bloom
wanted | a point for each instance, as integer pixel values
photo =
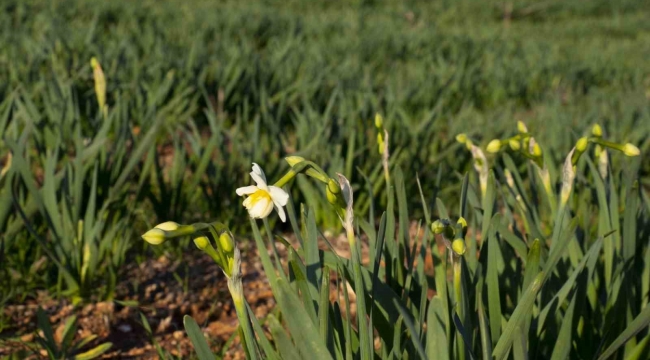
(522, 272)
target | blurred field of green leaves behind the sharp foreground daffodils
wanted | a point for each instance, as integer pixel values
(197, 90)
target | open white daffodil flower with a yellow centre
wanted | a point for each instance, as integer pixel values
(262, 197)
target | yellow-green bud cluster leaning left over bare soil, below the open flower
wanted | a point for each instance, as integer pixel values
(225, 254)
